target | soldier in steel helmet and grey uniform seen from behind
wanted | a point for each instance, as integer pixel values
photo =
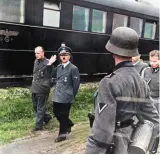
(121, 95)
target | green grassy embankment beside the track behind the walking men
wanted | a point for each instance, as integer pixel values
(17, 116)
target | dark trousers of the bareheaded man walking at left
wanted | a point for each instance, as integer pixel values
(39, 106)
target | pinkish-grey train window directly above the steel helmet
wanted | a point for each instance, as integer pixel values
(119, 20)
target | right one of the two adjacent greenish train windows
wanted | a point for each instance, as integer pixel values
(99, 21)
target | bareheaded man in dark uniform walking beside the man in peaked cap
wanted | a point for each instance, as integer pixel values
(41, 87)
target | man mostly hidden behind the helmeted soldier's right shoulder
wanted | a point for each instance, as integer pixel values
(139, 64)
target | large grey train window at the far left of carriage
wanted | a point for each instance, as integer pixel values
(12, 10)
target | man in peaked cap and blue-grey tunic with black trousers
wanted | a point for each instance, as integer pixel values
(67, 85)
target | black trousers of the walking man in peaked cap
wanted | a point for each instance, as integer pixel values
(61, 112)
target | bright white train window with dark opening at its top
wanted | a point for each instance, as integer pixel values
(51, 13)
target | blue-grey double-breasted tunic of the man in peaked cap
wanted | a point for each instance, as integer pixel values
(67, 84)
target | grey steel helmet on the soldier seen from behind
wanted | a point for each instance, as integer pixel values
(123, 42)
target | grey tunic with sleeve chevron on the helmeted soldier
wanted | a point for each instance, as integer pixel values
(121, 95)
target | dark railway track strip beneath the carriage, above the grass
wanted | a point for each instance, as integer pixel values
(27, 80)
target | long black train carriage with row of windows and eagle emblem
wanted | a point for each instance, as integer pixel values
(85, 26)
